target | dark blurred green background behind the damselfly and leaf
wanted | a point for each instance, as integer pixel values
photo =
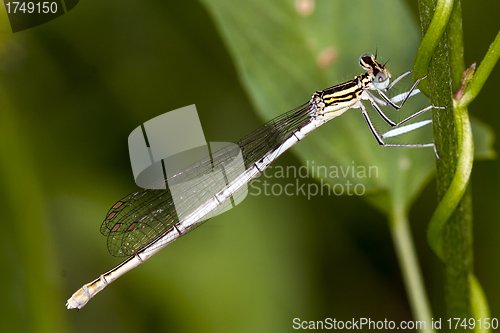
(72, 90)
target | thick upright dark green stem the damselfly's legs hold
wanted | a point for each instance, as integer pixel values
(456, 247)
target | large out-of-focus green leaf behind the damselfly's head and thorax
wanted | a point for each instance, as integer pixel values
(281, 56)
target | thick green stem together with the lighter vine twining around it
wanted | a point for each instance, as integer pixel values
(450, 229)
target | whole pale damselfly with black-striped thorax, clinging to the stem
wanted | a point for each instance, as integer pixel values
(144, 222)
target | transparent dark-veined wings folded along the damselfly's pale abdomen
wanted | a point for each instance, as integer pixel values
(141, 217)
